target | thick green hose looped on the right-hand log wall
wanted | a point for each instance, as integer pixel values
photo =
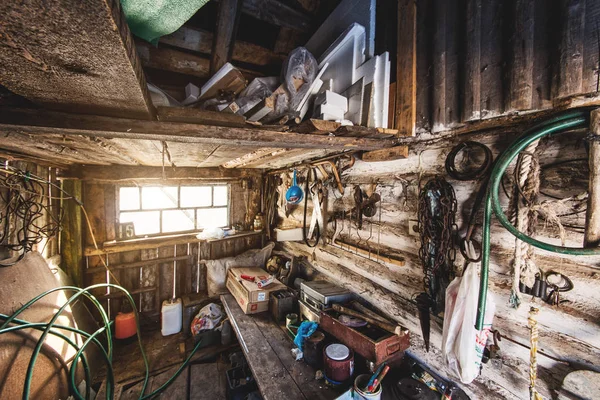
(559, 124)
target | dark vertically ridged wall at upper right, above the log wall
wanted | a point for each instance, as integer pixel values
(478, 59)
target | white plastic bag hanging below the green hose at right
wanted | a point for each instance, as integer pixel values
(462, 344)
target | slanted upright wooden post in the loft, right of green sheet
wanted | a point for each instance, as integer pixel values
(225, 33)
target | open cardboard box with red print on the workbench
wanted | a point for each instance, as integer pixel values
(251, 299)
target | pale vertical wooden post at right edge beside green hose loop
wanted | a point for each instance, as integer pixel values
(592, 218)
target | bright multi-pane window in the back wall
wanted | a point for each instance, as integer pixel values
(155, 210)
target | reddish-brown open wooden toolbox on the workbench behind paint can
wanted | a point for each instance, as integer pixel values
(371, 342)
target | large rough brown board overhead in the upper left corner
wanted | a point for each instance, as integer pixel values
(72, 55)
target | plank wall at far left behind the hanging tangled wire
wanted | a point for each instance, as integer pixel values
(50, 247)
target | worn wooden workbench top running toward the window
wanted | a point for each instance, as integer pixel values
(268, 352)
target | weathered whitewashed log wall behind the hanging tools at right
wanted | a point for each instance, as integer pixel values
(569, 332)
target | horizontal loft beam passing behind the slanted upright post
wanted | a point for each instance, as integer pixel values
(198, 40)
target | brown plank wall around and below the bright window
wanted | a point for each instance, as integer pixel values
(154, 283)
